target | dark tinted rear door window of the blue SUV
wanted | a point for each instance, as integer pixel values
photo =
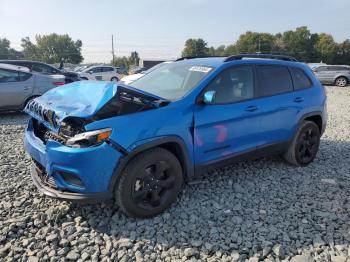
(274, 80)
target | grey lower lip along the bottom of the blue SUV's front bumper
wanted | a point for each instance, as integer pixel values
(68, 196)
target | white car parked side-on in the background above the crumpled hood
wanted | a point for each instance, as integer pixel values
(101, 72)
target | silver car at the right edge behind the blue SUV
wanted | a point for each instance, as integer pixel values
(338, 75)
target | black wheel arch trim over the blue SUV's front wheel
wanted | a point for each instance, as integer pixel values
(187, 164)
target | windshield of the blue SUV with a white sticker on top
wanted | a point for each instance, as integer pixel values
(172, 81)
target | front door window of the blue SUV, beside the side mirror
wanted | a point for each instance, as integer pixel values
(233, 85)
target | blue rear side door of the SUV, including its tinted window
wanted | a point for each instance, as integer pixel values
(278, 105)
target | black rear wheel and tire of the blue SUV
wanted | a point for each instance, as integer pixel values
(304, 147)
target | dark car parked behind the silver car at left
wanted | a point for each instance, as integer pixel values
(43, 68)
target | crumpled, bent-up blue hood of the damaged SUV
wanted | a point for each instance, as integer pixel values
(81, 99)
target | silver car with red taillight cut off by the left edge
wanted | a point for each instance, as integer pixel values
(18, 86)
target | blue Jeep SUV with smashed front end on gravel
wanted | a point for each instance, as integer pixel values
(139, 144)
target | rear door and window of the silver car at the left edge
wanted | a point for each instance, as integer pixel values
(15, 88)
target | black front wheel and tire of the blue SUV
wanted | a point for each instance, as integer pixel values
(149, 184)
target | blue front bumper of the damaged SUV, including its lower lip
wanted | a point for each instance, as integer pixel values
(92, 167)
